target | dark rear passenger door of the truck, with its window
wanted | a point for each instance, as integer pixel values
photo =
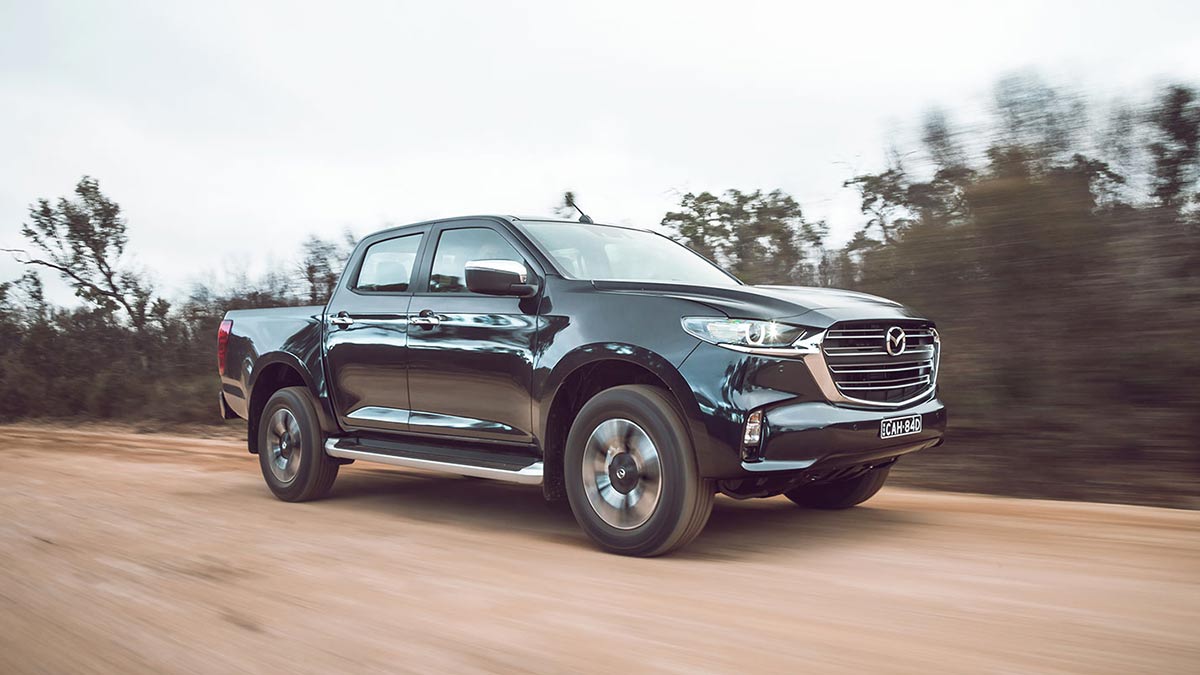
(367, 332)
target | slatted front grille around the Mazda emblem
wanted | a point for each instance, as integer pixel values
(865, 371)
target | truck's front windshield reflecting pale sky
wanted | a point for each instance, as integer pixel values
(604, 253)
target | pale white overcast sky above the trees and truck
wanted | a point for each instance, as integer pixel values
(227, 132)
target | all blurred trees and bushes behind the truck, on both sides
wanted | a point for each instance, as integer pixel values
(1058, 247)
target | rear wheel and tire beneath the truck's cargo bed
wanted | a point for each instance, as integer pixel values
(313, 476)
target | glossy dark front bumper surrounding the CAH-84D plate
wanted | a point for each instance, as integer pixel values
(819, 435)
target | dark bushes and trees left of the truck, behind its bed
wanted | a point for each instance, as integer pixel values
(125, 354)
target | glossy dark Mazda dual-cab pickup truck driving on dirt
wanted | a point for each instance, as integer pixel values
(611, 366)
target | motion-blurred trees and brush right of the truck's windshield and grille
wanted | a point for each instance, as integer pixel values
(1060, 259)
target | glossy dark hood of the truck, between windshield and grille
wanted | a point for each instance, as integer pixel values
(790, 304)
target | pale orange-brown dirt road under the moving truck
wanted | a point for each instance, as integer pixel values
(147, 553)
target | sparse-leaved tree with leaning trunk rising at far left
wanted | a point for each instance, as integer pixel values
(85, 241)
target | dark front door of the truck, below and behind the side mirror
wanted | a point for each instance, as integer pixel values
(470, 356)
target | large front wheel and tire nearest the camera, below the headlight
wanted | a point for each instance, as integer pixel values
(632, 475)
